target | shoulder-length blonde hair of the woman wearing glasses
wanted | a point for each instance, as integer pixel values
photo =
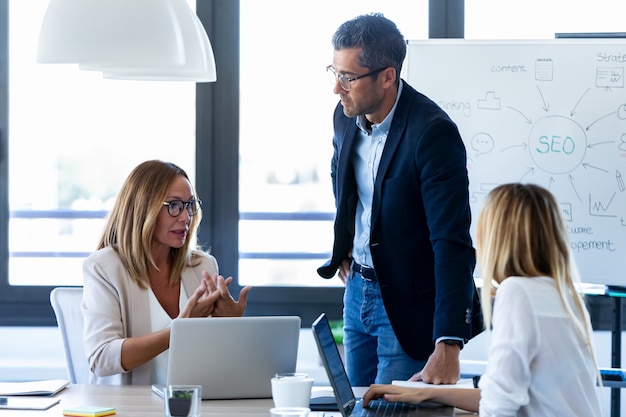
(131, 224)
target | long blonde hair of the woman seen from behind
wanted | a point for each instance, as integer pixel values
(521, 232)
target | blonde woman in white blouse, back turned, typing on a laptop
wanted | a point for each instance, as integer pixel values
(541, 360)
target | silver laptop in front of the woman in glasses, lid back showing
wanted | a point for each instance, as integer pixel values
(232, 357)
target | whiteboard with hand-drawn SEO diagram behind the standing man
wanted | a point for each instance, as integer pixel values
(549, 112)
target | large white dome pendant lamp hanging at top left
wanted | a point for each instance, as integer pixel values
(128, 39)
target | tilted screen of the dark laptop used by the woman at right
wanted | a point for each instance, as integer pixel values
(333, 364)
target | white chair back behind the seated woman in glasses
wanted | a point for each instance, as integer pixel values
(66, 305)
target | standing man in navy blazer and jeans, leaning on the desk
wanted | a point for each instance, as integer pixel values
(402, 245)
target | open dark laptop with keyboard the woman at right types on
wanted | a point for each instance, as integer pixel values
(348, 405)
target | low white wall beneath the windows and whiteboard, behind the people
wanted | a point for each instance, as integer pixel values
(32, 353)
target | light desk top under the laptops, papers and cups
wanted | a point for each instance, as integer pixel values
(140, 401)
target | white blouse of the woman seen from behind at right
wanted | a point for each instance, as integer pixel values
(538, 363)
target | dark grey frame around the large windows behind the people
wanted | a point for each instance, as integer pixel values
(217, 173)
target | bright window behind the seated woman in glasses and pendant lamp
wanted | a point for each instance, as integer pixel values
(72, 137)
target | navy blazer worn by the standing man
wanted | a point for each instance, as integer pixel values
(420, 242)
